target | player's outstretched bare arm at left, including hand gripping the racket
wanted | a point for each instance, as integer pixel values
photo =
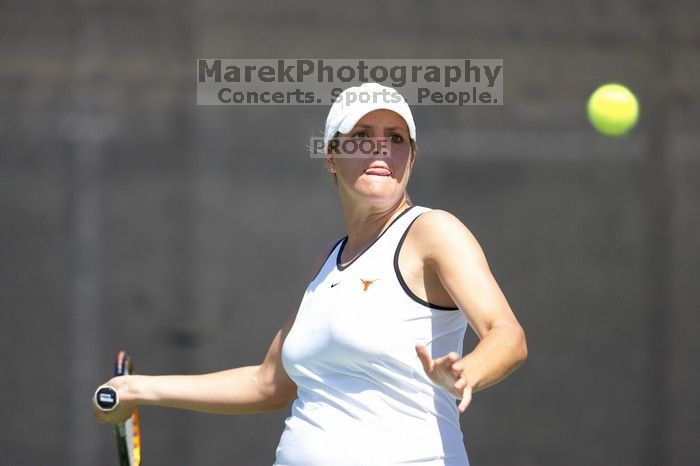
(249, 389)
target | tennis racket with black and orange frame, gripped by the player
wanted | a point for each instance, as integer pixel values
(129, 433)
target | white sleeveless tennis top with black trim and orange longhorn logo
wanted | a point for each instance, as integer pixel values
(363, 396)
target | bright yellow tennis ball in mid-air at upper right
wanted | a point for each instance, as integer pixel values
(613, 109)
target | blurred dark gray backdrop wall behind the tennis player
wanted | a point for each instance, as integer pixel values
(131, 218)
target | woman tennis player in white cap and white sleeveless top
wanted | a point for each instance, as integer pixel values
(373, 356)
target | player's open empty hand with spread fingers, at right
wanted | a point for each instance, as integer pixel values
(447, 372)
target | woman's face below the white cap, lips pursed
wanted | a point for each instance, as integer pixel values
(371, 176)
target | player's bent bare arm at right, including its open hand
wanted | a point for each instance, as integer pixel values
(454, 255)
